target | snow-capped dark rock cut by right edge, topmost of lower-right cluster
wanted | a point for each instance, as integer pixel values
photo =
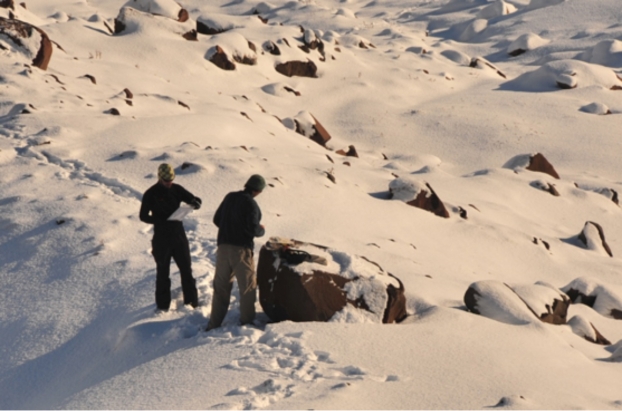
(602, 298)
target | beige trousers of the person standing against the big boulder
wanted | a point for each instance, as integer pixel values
(233, 261)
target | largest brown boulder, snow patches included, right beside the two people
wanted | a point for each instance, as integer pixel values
(304, 282)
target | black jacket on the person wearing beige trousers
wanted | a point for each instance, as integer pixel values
(237, 219)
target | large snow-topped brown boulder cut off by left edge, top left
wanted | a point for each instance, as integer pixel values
(22, 35)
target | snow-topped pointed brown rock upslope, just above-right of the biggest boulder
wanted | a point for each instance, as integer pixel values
(417, 194)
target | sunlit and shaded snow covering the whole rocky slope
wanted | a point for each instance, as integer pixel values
(77, 323)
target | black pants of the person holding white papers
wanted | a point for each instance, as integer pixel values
(173, 245)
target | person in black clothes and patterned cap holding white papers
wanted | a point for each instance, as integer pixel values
(169, 237)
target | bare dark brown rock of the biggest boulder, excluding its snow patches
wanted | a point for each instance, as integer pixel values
(317, 295)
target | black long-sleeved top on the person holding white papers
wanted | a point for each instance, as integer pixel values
(159, 202)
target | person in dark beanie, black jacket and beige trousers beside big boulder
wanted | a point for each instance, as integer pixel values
(238, 220)
